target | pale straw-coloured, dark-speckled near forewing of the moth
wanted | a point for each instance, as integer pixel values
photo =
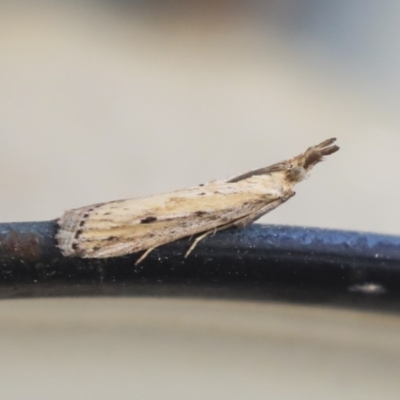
(113, 229)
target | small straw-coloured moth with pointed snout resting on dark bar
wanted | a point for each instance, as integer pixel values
(123, 227)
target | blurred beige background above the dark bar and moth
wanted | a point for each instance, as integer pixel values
(102, 100)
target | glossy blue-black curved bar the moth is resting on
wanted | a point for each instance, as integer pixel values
(255, 262)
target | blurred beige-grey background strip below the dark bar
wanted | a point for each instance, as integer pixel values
(194, 349)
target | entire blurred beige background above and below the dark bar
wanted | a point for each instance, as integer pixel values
(102, 100)
